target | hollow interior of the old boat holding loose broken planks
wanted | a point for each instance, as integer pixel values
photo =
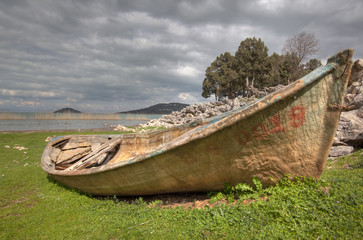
(87, 151)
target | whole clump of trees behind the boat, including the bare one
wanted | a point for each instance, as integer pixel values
(251, 67)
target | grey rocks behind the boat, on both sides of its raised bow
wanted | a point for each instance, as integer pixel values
(348, 137)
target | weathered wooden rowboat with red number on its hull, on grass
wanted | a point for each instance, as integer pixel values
(287, 132)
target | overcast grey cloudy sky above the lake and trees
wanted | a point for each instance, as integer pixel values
(110, 56)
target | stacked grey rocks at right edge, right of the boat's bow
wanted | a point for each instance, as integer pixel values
(350, 130)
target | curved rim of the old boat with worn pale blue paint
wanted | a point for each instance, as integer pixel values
(206, 128)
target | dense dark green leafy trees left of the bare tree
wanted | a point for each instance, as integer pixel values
(230, 76)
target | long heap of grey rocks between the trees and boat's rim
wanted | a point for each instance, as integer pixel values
(198, 112)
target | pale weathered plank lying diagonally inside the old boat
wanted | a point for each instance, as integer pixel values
(97, 156)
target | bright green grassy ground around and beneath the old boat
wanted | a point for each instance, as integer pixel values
(33, 206)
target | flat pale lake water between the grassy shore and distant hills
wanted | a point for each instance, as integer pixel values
(41, 124)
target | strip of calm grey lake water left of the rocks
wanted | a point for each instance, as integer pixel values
(33, 121)
